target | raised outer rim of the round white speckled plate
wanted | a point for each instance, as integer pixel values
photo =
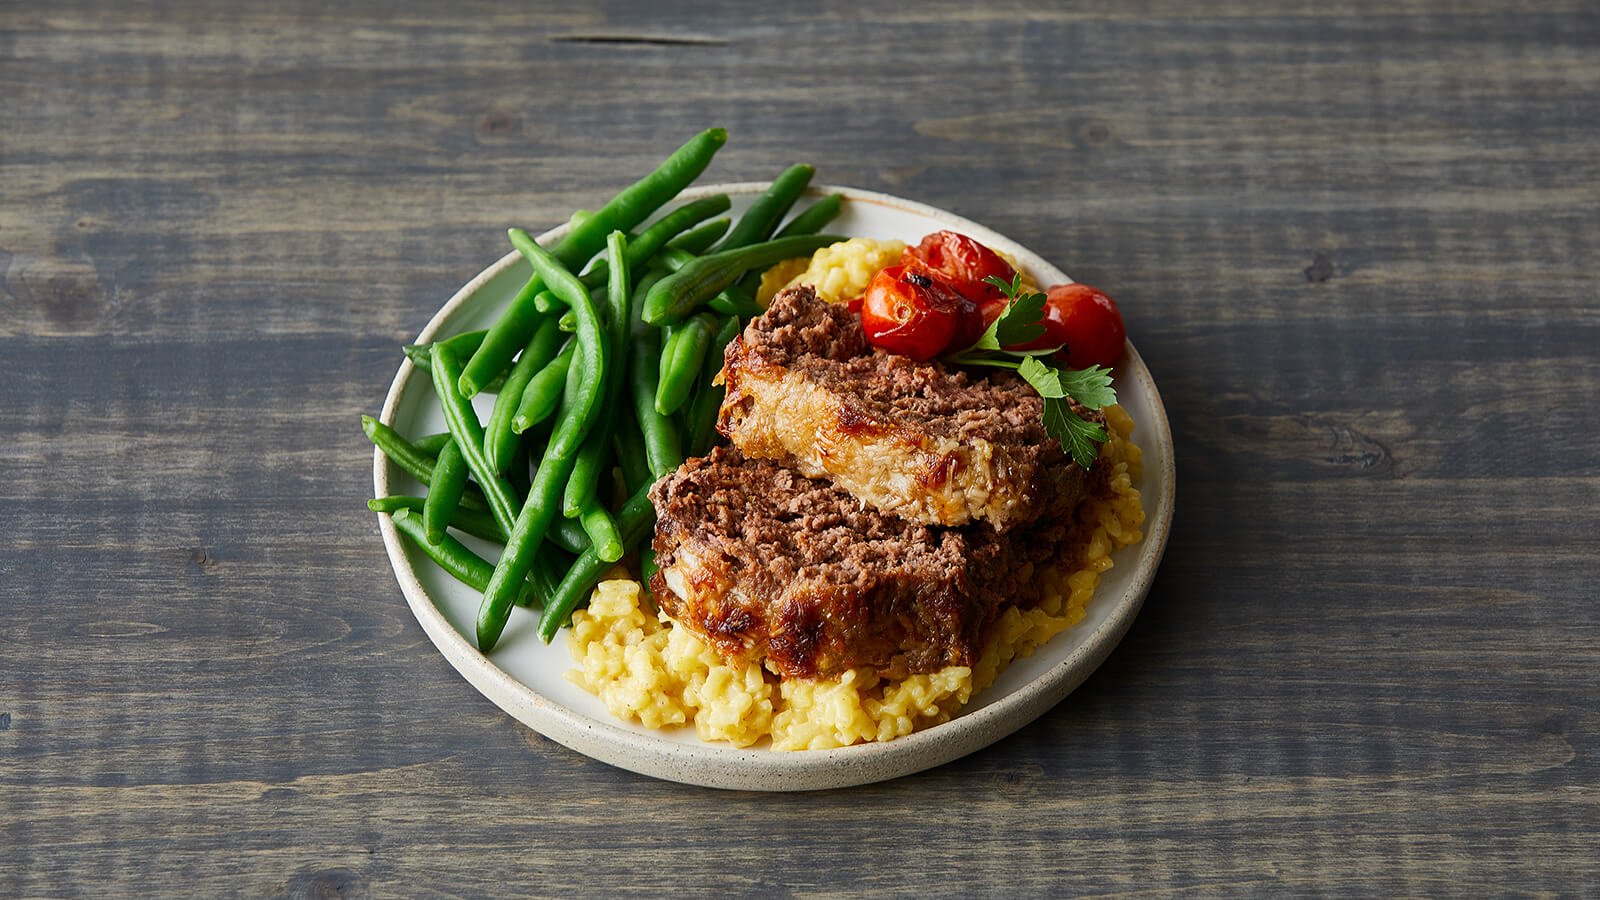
(722, 766)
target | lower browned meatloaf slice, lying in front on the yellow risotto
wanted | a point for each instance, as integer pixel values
(769, 565)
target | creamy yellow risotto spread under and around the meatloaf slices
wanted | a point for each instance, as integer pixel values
(644, 669)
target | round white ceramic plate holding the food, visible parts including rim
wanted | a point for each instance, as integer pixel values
(526, 678)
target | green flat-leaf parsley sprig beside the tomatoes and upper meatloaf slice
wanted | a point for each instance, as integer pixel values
(1089, 387)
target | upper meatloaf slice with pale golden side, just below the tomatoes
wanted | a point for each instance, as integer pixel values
(913, 440)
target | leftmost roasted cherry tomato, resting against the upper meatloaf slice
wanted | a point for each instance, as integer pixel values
(910, 313)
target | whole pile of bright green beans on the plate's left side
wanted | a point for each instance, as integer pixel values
(604, 376)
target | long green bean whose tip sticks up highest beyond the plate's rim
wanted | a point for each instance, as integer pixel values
(585, 239)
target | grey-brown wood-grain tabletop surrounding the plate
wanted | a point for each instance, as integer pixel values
(1356, 243)
